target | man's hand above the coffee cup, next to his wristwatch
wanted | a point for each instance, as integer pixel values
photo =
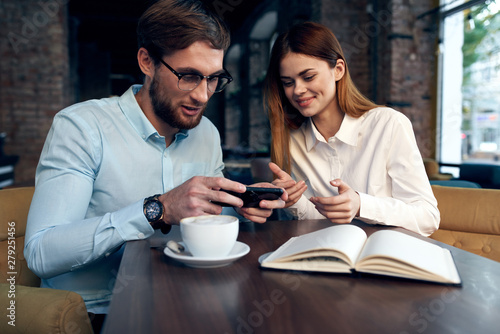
(194, 197)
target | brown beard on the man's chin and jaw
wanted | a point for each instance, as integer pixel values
(164, 109)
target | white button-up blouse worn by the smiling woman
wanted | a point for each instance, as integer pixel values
(378, 157)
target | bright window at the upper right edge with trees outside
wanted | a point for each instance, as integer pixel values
(469, 110)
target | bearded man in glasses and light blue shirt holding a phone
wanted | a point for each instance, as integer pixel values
(115, 169)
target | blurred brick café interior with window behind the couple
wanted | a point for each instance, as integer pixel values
(438, 62)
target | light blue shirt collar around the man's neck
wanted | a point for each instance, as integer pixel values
(136, 117)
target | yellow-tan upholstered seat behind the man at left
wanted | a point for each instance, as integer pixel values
(31, 309)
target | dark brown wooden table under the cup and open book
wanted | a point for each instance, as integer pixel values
(155, 294)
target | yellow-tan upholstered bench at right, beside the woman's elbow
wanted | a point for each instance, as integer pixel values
(470, 219)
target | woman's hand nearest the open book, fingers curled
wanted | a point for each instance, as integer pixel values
(339, 209)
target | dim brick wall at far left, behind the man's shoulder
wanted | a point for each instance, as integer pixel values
(34, 76)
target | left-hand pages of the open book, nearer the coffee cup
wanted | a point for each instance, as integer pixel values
(345, 239)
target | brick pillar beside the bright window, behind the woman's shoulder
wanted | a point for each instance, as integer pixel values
(413, 68)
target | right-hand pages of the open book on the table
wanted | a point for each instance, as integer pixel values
(392, 252)
